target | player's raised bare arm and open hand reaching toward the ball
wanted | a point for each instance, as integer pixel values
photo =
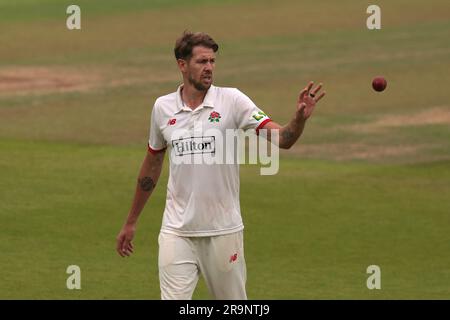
(289, 134)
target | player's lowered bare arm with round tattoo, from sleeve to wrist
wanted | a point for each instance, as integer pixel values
(146, 182)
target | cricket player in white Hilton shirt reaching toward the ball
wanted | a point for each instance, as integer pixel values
(202, 229)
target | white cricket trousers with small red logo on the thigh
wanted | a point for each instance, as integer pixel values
(220, 260)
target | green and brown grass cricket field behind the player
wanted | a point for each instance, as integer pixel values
(368, 184)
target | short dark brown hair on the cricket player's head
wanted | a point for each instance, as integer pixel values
(189, 40)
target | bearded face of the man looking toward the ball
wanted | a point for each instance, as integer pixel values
(199, 69)
